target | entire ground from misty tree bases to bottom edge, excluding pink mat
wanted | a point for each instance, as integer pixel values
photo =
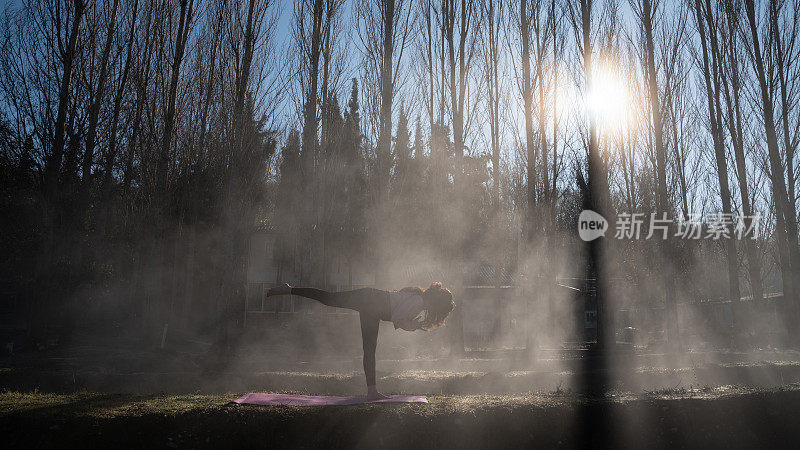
(101, 397)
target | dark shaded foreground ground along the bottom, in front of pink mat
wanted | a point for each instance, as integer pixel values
(707, 418)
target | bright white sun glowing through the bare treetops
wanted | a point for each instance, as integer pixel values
(608, 99)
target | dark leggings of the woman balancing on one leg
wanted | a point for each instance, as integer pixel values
(372, 306)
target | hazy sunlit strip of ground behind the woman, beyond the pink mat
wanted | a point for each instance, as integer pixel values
(126, 368)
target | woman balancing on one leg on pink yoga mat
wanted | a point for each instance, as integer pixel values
(410, 309)
